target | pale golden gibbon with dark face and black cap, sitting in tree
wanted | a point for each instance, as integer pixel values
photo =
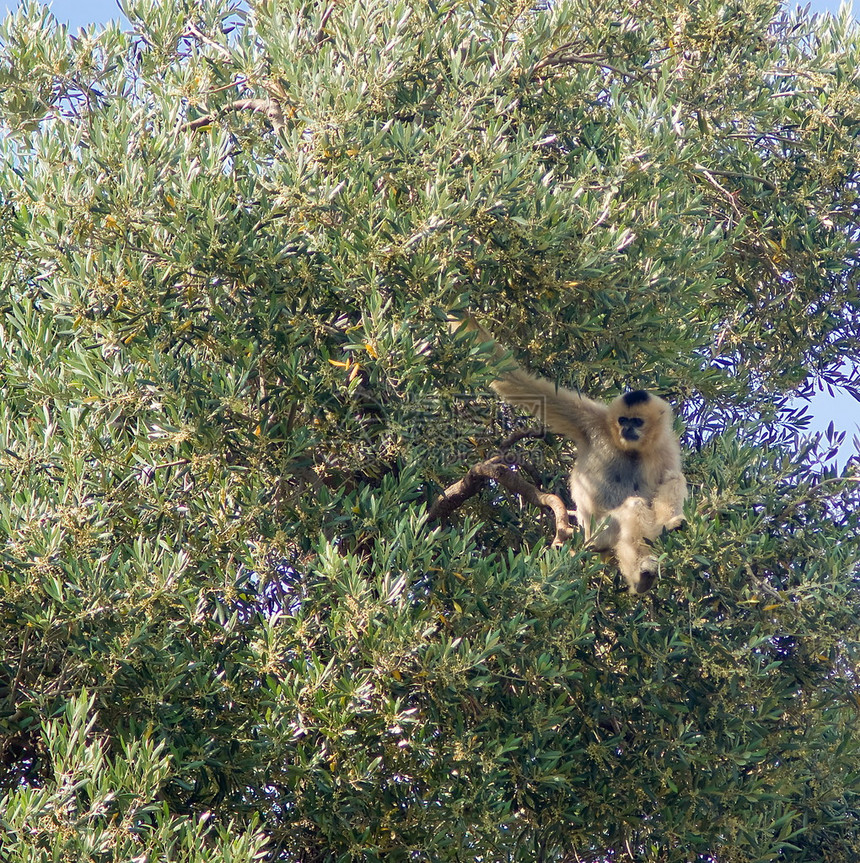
(627, 484)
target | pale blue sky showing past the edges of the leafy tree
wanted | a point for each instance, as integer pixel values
(843, 410)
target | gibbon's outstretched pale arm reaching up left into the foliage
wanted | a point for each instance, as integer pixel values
(563, 411)
